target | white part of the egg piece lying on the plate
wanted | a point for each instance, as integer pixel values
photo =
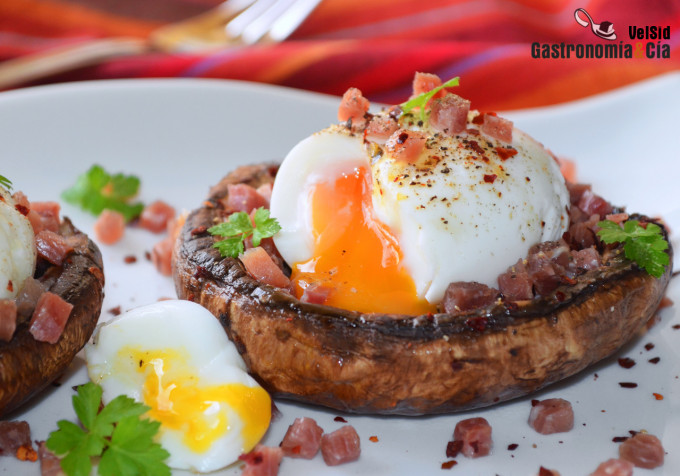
(190, 331)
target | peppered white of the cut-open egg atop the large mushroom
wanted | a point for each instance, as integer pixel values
(452, 224)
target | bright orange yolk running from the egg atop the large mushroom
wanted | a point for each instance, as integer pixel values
(355, 255)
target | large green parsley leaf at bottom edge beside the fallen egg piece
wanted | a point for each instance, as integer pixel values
(116, 433)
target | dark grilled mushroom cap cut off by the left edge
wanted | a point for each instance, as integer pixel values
(27, 366)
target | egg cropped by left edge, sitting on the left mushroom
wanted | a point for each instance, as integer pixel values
(17, 247)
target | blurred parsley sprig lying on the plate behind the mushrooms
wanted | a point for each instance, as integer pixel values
(96, 190)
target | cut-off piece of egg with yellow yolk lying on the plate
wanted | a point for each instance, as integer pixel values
(175, 357)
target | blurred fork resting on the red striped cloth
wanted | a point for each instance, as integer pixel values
(233, 22)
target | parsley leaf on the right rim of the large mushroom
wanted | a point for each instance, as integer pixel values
(644, 245)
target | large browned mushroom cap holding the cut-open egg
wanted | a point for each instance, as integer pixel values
(409, 365)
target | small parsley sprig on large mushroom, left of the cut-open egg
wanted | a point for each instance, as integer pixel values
(239, 227)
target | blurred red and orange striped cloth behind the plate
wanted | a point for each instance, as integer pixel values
(377, 45)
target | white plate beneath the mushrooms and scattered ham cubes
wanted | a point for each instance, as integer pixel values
(181, 136)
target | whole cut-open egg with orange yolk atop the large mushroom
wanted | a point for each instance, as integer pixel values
(388, 235)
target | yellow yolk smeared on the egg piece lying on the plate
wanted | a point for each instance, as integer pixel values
(180, 402)
